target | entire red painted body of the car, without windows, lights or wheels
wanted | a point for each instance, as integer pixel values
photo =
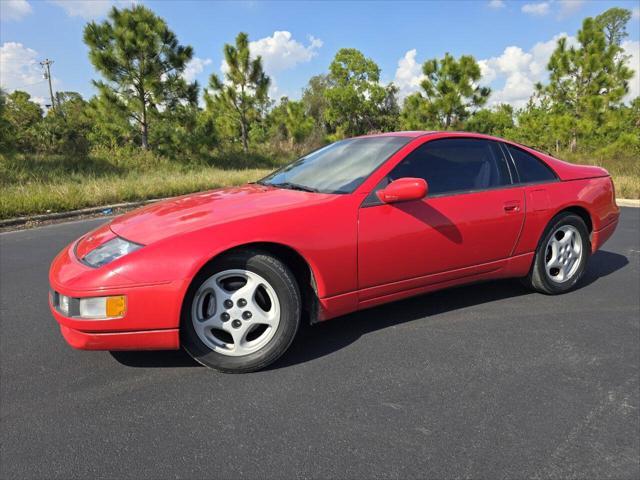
(360, 256)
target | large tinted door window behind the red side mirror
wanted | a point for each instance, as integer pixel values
(456, 165)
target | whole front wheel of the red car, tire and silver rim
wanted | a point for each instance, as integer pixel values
(241, 312)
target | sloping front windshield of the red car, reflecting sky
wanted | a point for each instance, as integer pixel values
(337, 168)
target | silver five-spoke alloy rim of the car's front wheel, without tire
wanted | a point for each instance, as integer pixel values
(235, 312)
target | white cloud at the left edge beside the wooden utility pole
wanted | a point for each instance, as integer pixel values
(20, 70)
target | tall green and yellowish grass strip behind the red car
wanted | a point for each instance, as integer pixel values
(31, 184)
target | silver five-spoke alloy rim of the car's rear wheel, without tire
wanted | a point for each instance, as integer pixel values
(563, 254)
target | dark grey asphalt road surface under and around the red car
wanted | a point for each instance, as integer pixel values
(488, 381)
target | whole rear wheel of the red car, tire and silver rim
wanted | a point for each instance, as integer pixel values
(562, 255)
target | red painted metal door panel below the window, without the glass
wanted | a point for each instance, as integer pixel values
(420, 238)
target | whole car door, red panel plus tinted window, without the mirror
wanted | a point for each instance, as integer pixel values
(471, 217)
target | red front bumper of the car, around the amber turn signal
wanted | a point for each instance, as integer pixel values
(151, 320)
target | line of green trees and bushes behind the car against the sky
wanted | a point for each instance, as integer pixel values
(143, 100)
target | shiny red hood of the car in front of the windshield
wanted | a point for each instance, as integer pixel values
(192, 212)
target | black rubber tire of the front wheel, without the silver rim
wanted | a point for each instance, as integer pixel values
(281, 280)
